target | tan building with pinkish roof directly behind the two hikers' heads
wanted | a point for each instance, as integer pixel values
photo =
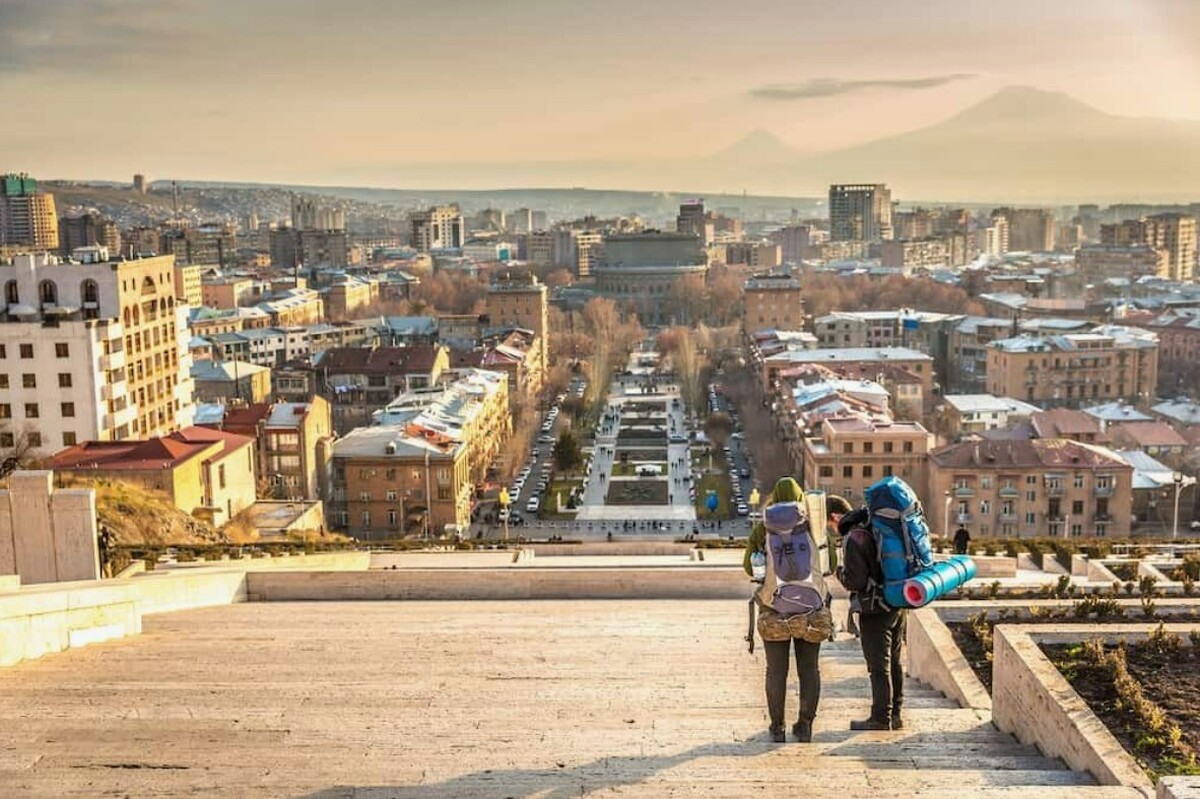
(845, 456)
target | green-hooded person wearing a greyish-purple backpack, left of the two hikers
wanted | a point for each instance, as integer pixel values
(794, 552)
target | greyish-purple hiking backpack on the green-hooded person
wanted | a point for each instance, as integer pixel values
(796, 566)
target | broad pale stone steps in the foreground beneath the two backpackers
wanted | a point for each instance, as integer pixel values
(431, 700)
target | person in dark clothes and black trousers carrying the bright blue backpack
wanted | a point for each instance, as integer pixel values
(881, 628)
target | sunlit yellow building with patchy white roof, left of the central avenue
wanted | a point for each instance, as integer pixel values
(473, 410)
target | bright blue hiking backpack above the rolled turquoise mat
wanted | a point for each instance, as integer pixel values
(902, 536)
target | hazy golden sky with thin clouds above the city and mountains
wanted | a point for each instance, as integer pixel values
(301, 91)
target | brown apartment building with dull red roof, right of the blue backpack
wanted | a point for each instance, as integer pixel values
(1027, 489)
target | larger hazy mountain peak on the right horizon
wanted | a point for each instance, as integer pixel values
(1025, 145)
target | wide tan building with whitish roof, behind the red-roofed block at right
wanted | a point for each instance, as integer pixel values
(1072, 370)
